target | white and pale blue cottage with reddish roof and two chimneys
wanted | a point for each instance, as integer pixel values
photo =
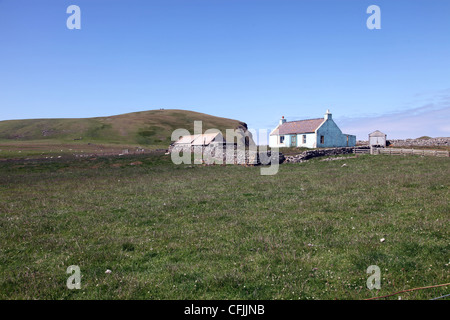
(311, 133)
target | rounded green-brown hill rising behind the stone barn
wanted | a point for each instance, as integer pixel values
(146, 127)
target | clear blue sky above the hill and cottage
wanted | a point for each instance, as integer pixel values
(252, 60)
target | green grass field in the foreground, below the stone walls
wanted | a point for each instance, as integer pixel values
(223, 232)
